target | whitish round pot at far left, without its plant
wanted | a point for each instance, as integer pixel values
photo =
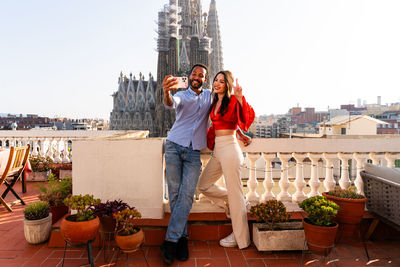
(37, 231)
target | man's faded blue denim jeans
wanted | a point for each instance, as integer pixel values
(183, 169)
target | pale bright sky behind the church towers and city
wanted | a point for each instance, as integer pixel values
(63, 58)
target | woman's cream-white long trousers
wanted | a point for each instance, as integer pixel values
(227, 160)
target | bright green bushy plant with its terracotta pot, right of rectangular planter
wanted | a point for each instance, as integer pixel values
(319, 227)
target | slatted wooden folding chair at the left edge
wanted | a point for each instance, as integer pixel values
(13, 171)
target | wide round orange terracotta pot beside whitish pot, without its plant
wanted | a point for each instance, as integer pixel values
(77, 233)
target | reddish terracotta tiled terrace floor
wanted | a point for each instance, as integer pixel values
(15, 251)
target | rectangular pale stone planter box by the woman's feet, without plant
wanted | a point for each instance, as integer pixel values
(285, 236)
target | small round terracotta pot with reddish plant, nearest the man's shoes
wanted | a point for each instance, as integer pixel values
(128, 236)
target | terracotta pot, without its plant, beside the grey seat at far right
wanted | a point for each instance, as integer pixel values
(350, 214)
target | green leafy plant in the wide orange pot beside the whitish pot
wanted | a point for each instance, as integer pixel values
(83, 205)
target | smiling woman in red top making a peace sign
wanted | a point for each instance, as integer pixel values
(227, 113)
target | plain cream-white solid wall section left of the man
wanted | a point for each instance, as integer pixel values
(131, 170)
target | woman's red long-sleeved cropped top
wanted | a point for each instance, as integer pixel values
(235, 115)
